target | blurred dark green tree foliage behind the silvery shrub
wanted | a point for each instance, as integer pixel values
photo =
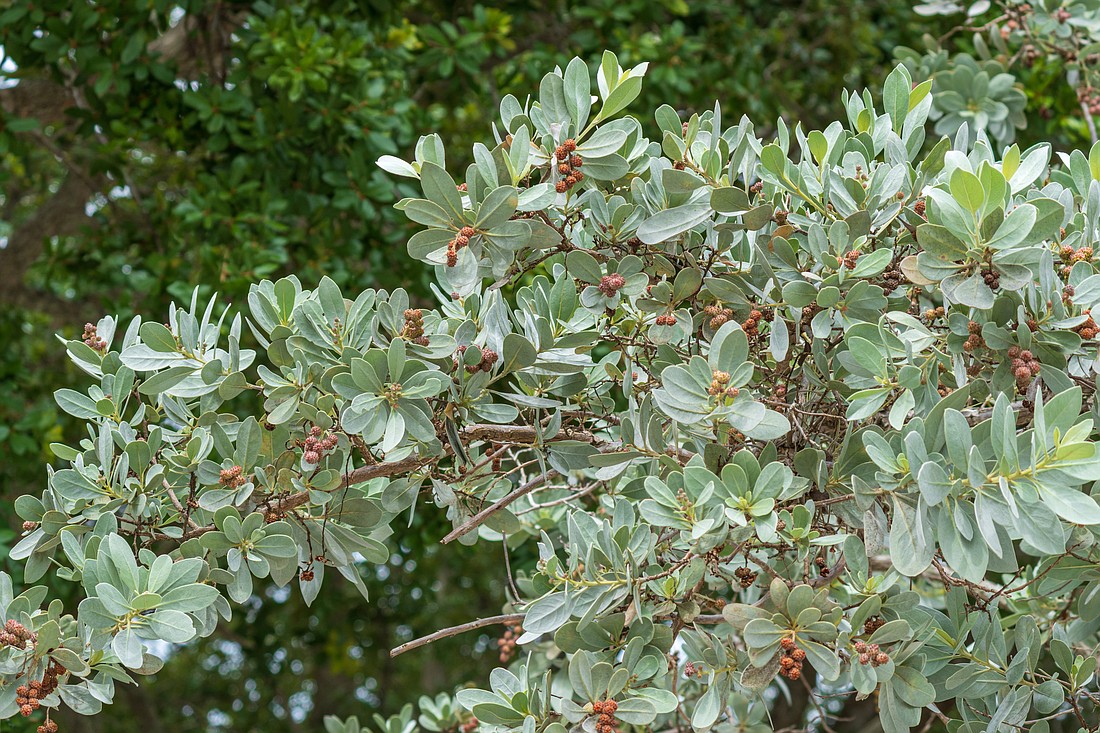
(150, 149)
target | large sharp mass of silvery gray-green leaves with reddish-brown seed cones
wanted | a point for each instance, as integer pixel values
(817, 408)
